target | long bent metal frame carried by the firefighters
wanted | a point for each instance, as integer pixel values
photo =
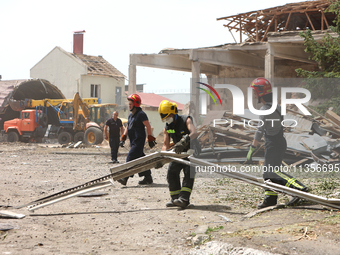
(150, 161)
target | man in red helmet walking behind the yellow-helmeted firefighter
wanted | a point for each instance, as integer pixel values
(135, 129)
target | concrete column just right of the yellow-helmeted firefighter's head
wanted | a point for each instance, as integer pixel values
(196, 71)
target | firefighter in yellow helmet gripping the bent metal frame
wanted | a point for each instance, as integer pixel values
(181, 130)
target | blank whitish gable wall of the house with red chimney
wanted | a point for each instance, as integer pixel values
(60, 69)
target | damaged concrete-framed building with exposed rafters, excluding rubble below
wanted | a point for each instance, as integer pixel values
(274, 49)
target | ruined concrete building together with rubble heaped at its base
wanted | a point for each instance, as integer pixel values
(269, 46)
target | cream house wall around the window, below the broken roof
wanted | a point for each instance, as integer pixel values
(108, 87)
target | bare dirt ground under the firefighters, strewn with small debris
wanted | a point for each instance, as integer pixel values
(134, 220)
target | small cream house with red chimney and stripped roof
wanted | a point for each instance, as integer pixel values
(91, 76)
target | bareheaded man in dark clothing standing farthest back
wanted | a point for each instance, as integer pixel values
(115, 126)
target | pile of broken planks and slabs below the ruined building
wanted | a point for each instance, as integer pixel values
(226, 138)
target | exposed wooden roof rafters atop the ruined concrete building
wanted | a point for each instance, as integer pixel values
(295, 16)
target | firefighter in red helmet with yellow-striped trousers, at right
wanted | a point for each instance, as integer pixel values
(275, 144)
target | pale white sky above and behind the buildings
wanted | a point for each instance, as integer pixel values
(115, 29)
